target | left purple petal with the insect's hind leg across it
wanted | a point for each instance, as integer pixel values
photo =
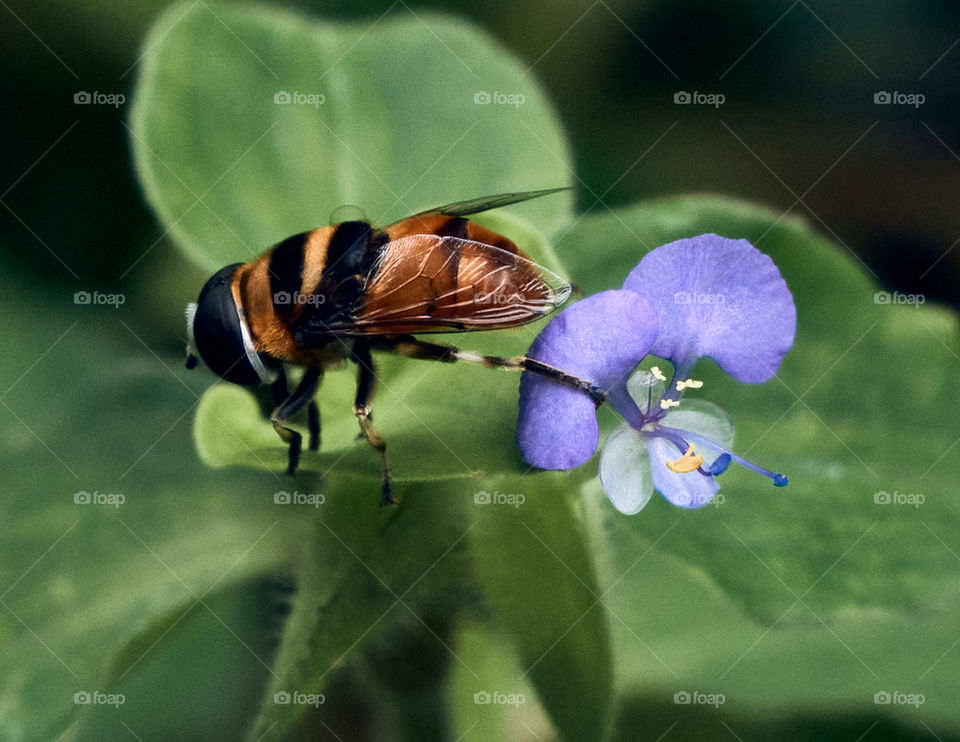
(599, 339)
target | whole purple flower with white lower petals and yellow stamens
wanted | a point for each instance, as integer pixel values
(704, 296)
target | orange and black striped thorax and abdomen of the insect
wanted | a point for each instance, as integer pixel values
(329, 283)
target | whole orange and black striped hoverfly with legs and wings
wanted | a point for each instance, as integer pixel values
(339, 292)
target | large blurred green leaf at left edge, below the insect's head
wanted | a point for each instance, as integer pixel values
(88, 408)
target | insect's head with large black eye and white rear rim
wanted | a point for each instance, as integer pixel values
(218, 333)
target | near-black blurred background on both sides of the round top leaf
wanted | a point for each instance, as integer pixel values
(799, 120)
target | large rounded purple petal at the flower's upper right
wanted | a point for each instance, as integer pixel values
(720, 298)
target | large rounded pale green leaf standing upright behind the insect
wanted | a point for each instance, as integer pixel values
(230, 171)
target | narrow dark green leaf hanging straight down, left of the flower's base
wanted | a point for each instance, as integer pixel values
(532, 558)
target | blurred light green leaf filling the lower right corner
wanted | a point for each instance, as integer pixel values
(674, 630)
